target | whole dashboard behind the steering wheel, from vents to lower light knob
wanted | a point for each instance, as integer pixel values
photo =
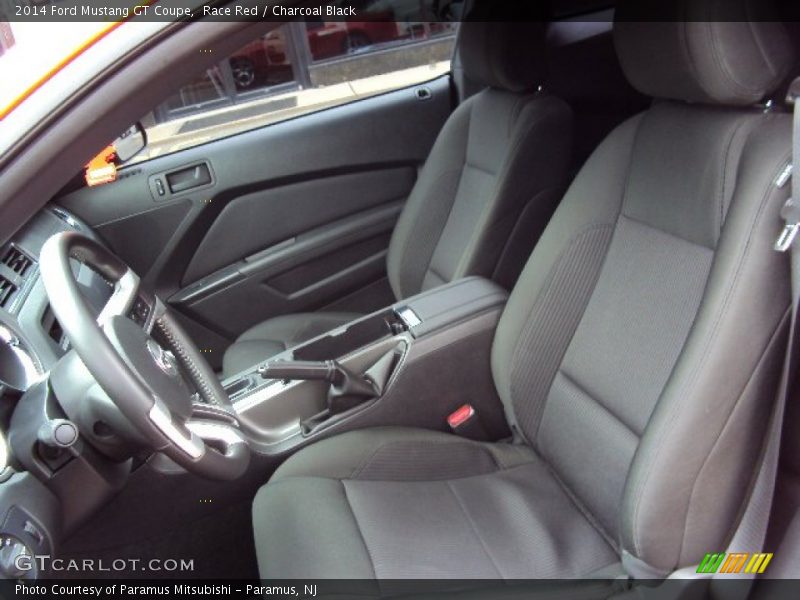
(37, 499)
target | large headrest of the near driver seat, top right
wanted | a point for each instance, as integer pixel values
(714, 51)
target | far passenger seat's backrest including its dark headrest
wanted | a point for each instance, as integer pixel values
(503, 152)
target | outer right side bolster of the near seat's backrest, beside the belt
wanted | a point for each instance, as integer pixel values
(710, 420)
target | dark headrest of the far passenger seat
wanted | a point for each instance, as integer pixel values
(509, 56)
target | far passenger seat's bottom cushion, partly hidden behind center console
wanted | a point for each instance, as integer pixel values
(276, 335)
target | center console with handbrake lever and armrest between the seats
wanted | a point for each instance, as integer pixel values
(411, 364)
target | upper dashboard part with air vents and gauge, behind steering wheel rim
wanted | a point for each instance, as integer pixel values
(31, 339)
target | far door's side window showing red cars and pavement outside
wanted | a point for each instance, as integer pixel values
(297, 69)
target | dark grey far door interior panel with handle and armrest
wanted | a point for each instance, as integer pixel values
(295, 216)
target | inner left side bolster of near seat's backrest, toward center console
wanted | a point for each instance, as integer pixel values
(576, 238)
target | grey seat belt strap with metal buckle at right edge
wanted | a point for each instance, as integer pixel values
(751, 533)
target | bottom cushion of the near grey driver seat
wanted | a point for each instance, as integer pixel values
(396, 503)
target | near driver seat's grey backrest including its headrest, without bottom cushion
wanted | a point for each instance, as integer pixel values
(640, 350)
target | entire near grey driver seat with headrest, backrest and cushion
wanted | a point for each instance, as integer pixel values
(637, 358)
